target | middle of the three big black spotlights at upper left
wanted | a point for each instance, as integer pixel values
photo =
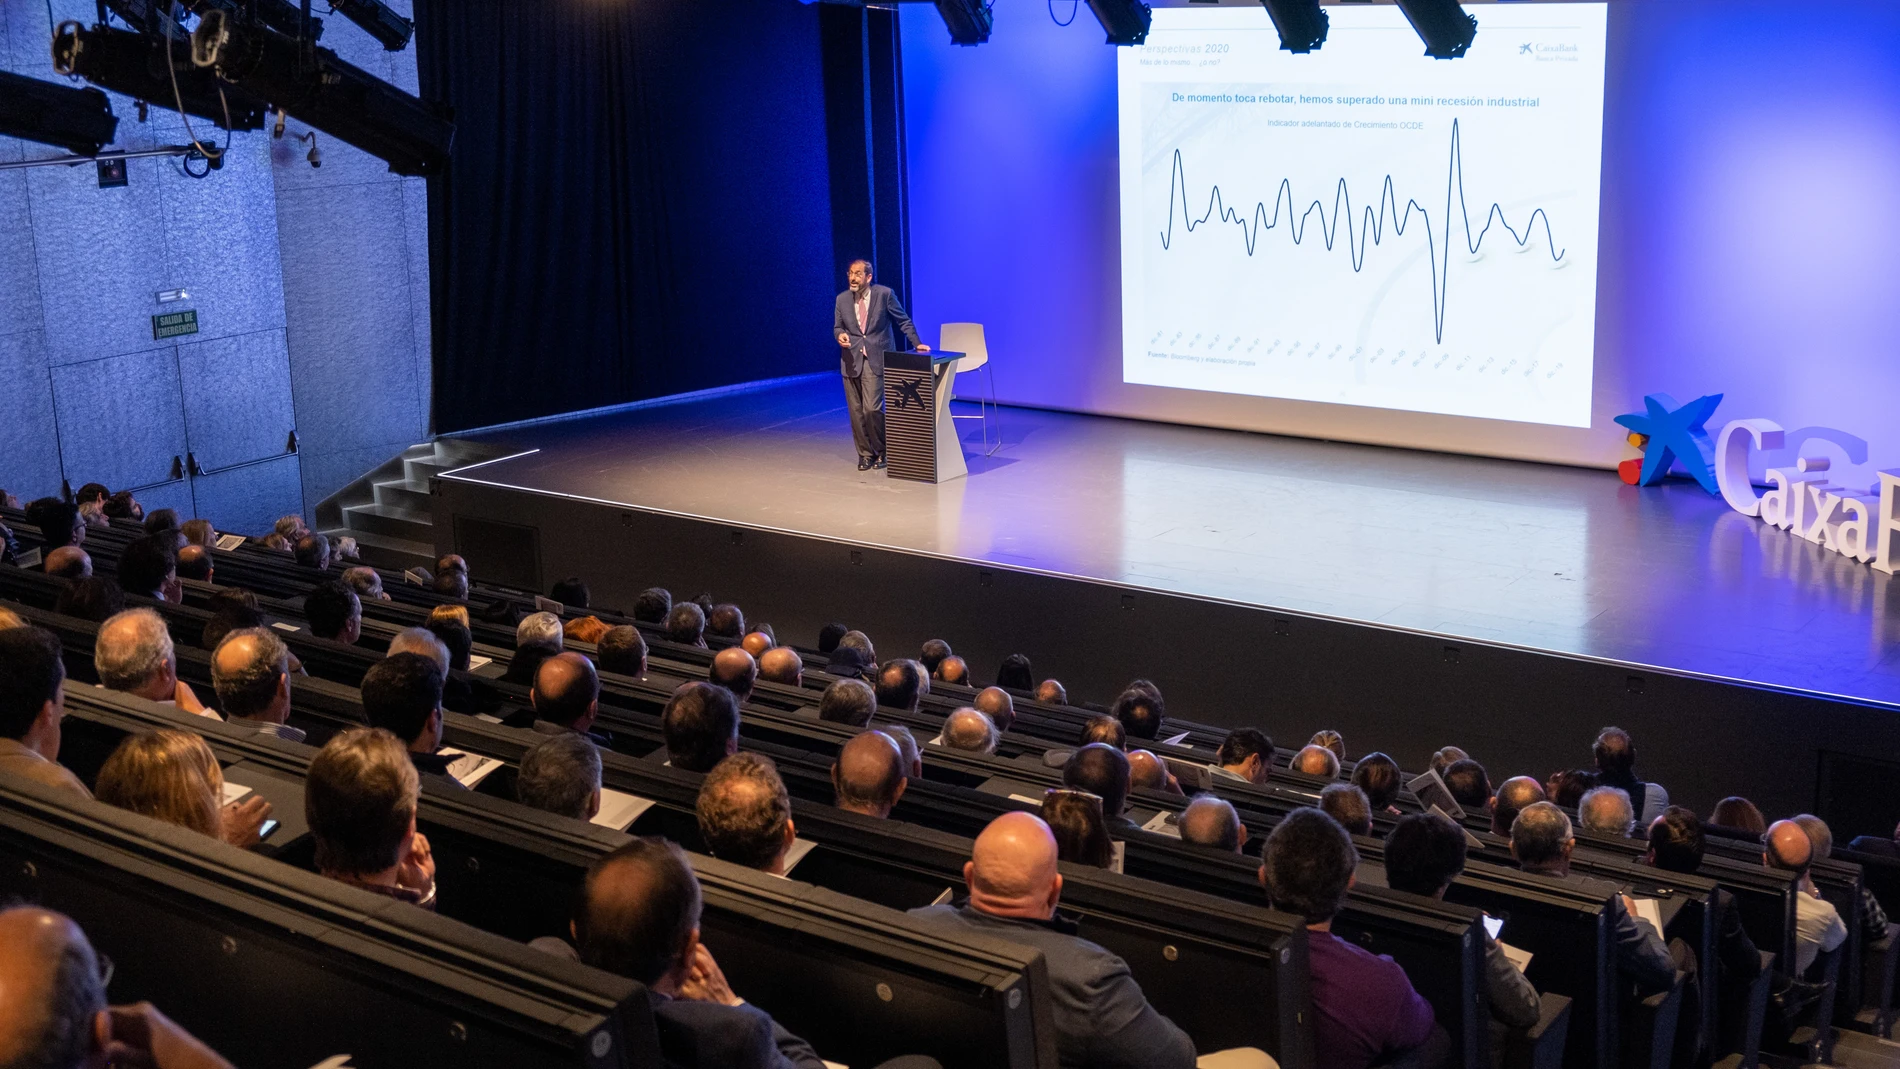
(134, 66)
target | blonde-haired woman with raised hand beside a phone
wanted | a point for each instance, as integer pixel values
(174, 778)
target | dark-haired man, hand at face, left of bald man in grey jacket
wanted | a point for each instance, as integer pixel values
(639, 918)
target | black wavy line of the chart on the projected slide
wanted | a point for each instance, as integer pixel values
(1373, 221)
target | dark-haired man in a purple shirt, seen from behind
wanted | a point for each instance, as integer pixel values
(1363, 1005)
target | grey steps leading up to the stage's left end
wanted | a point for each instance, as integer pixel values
(389, 508)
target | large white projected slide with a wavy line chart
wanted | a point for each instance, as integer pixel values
(1365, 225)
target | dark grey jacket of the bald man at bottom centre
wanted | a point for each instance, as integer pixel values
(1103, 1019)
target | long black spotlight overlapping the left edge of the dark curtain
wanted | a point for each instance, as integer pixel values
(326, 92)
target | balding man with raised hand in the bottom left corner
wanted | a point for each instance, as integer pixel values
(54, 1005)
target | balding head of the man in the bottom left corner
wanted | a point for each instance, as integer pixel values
(50, 990)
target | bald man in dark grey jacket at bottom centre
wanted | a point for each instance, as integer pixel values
(1103, 1021)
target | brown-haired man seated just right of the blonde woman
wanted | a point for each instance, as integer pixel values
(360, 802)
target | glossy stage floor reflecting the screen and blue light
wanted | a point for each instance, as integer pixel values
(1500, 552)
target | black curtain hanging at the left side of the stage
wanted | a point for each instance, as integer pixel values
(637, 202)
